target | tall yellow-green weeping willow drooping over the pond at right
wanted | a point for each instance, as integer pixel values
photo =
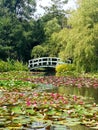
(82, 42)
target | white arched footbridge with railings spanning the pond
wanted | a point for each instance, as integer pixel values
(44, 62)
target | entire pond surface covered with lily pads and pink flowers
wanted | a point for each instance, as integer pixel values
(48, 103)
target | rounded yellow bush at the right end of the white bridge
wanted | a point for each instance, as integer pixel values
(65, 69)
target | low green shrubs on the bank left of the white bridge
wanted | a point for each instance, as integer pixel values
(12, 65)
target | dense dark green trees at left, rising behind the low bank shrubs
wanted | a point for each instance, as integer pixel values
(17, 38)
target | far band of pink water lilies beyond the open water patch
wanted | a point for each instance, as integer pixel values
(68, 81)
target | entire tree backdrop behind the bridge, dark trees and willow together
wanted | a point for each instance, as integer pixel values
(73, 36)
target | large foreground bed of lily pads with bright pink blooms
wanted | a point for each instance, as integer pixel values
(19, 109)
